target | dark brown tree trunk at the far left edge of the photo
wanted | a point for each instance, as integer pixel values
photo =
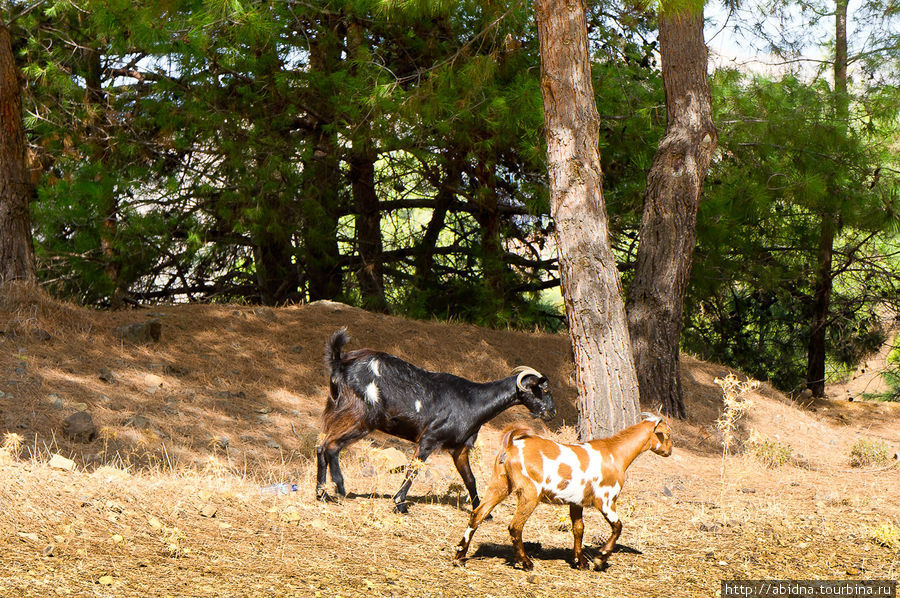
(16, 191)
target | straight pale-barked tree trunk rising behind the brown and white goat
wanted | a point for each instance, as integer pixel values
(604, 367)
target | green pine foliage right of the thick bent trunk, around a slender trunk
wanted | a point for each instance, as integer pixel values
(784, 162)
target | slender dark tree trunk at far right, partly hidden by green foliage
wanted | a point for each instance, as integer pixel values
(816, 354)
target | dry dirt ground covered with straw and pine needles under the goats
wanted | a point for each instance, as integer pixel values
(166, 502)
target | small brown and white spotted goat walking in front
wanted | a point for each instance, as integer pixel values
(537, 470)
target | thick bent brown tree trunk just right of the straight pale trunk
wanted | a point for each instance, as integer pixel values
(668, 227)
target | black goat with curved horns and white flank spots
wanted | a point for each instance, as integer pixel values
(376, 391)
